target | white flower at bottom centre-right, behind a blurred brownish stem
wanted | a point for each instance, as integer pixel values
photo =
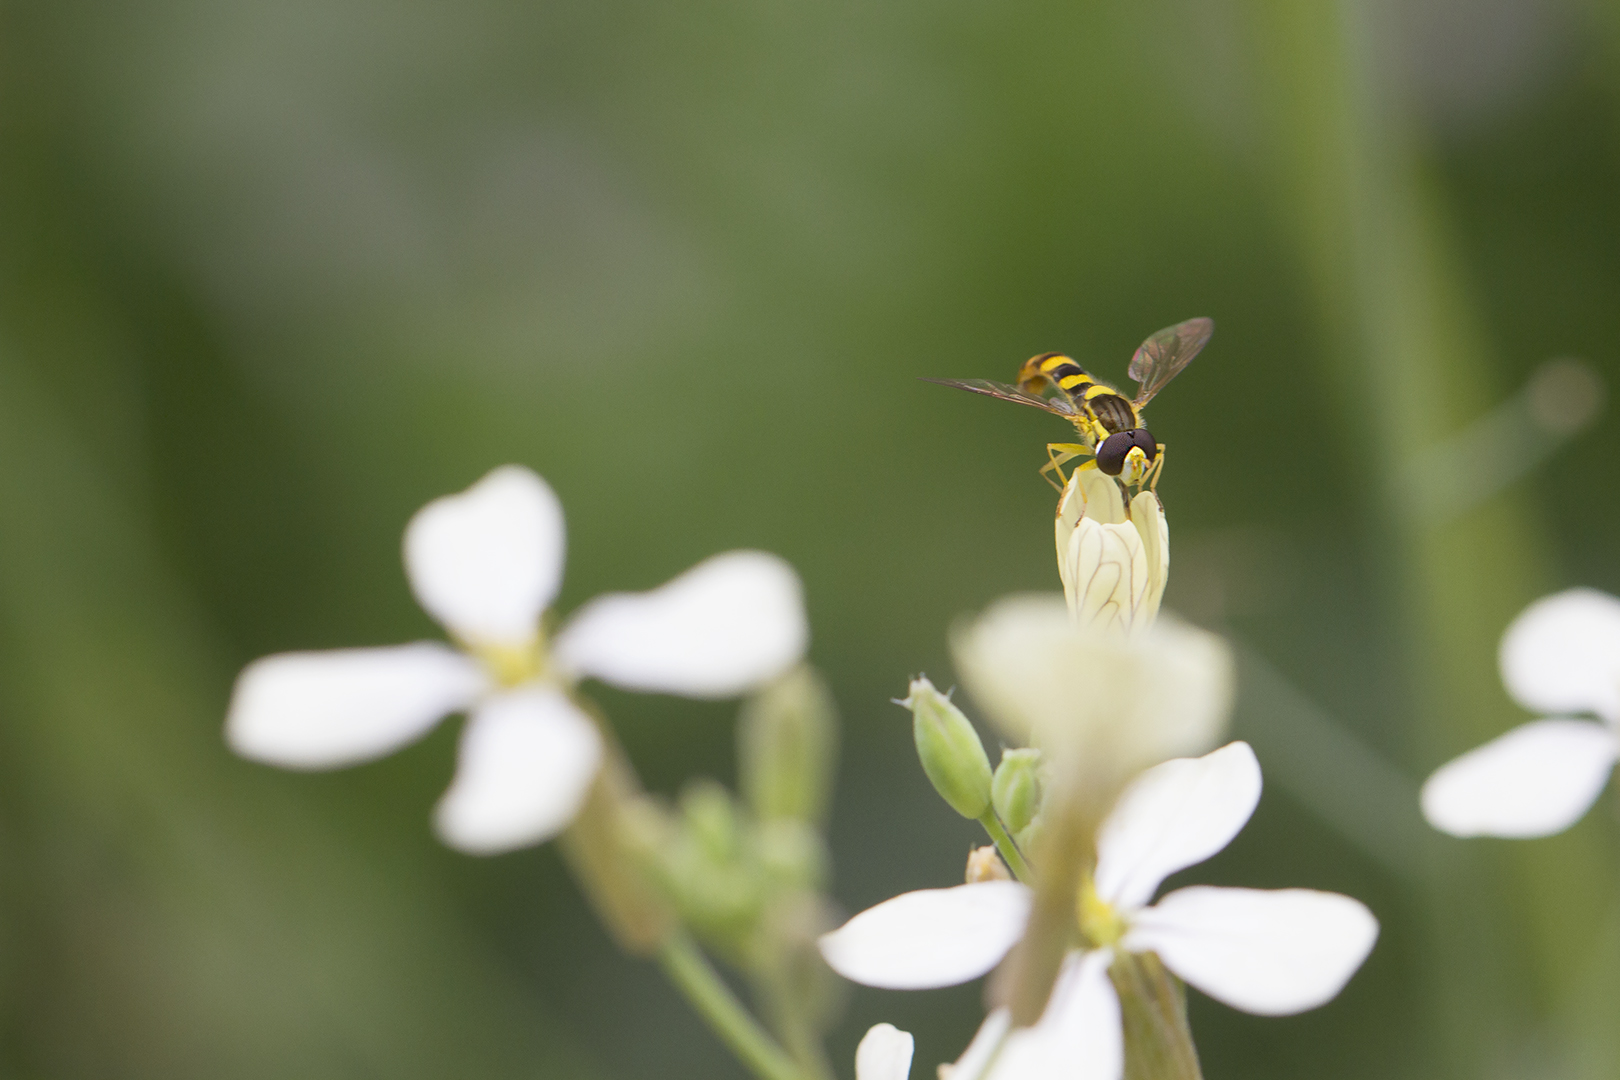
(1269, 953)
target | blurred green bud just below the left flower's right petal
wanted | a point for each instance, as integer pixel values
(788, 747)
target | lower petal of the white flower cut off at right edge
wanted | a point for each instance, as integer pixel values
(1535, 781)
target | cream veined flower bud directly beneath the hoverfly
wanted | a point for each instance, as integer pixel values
(1114, 559)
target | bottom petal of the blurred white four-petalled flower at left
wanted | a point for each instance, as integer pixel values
(526, 763)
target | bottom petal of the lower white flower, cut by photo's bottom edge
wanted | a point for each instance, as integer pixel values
(1080, 1037)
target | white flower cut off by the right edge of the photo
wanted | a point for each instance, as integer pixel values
(1562, 655)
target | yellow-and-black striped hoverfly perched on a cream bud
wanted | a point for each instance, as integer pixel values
(1109, 423)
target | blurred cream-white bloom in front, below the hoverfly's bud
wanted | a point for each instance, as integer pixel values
(1098, 702)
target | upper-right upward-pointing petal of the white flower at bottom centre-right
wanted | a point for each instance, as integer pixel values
(1174, 817)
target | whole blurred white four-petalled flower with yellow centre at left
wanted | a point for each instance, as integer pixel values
(487, 564)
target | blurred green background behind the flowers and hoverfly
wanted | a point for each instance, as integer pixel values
(276, 274)
